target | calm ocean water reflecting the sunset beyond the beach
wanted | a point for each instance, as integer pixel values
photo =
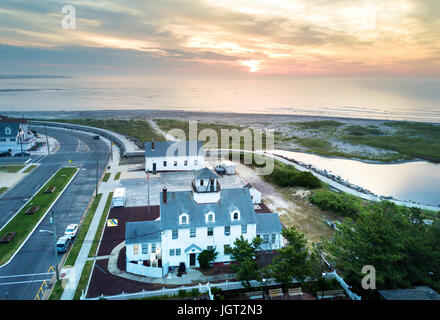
(415, 99)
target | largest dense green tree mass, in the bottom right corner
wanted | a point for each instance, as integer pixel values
(404, 253)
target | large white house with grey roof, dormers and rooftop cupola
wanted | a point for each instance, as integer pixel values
(206, 217)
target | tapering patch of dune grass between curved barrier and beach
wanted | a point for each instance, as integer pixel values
(139, 130)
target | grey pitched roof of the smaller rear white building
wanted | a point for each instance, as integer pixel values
(173, 149)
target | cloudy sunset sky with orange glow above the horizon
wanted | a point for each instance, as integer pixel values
(222, 38)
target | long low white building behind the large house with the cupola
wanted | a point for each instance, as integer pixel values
(173, 156)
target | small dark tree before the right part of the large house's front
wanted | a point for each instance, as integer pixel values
(244, 254)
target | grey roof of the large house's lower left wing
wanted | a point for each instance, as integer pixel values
(142, 231)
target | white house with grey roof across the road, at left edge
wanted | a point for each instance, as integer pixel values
(15, 135)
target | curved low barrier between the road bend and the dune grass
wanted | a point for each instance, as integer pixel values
(103, 132)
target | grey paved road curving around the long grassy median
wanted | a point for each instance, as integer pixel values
(37, 255)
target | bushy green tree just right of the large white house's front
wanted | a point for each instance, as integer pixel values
(294, 260)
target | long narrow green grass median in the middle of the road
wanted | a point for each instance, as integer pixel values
(22, 223)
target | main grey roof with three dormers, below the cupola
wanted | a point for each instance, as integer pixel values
(179, 202)
